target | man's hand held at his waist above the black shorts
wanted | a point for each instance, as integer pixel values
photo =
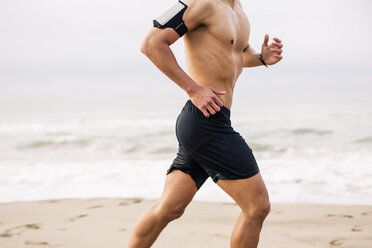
(205, 98)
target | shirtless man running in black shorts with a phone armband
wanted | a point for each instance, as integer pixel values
(217, 49)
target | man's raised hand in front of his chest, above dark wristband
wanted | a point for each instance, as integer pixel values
(271, 54)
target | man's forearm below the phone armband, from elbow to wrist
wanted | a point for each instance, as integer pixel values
(163, 58)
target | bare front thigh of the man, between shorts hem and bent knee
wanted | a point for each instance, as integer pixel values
(247, 193)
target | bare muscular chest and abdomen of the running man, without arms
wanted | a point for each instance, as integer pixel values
(214, 50)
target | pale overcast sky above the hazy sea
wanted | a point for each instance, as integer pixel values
(82, 43)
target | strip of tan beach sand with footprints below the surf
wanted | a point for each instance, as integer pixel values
(108, 222)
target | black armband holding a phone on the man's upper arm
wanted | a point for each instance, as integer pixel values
(173, 19)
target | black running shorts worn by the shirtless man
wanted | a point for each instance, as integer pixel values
(210, 147)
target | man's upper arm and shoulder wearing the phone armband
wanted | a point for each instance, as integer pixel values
(183, 17)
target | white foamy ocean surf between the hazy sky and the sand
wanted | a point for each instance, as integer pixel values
(304, 157)
